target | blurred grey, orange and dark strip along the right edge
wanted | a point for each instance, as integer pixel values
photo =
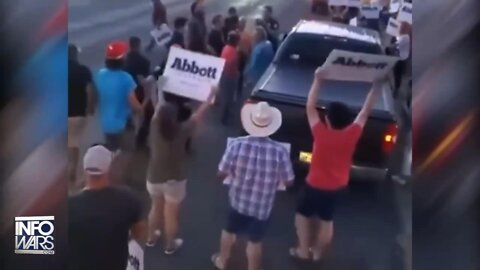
(446, 135)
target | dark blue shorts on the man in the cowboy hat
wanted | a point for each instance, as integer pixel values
(240, 224)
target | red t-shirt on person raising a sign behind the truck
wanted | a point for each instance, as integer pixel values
(332, 156)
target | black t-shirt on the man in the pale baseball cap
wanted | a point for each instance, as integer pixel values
(98, 228)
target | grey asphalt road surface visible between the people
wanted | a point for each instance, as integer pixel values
(366, 220)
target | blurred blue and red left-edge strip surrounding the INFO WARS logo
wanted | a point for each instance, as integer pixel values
(33, 123)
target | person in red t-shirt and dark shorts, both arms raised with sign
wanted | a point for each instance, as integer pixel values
(335, 138)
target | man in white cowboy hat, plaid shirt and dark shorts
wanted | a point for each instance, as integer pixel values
(254, 166)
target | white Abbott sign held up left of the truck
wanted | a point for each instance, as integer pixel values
(192, 74)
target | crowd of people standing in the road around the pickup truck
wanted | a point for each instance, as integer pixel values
(126, 96)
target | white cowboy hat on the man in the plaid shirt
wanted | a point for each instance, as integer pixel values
(260, 119)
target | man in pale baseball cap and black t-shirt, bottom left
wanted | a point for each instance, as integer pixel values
(101, 217)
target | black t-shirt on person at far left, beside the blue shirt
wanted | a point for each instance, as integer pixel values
(79, 76)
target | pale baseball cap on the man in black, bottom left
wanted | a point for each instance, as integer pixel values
(97, 160)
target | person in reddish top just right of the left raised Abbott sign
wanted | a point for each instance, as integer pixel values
(229, 82)
